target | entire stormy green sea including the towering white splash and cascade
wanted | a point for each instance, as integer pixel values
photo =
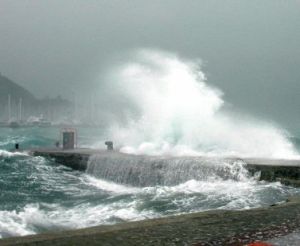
(170, 117)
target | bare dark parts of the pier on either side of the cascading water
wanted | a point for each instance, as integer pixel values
(285, 171)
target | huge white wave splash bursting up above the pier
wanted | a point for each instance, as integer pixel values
(170, 108)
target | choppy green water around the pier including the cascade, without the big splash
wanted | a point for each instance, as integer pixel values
(38, 195)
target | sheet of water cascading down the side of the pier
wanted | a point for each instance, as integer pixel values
(161, 170)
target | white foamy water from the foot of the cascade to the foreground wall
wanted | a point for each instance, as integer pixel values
(138, 204)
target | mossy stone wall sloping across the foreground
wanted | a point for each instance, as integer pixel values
(204, 228)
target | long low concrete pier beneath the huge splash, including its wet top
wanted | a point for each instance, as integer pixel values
(285, 171)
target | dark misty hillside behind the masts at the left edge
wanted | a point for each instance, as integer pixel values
(8, 87)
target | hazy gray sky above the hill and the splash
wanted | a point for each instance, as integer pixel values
(251, 49)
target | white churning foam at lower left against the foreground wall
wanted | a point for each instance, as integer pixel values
(34, 217)
